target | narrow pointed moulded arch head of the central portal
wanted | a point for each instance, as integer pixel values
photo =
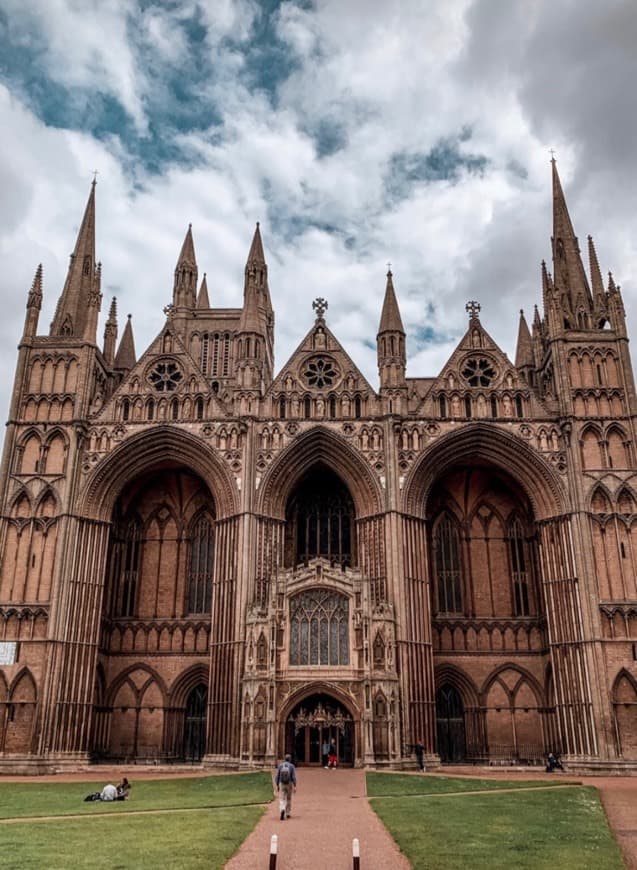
(319, 445)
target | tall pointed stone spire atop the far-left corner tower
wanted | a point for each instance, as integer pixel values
(80, 295)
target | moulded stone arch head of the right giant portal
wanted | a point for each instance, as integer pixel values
(481, 443)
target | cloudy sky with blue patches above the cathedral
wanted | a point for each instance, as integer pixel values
(357, 131)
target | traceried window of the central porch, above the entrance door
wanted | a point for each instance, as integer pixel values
(319, 628)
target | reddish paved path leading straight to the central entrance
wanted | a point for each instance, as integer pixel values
(329, 809)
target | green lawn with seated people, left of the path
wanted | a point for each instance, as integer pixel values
(210, 818)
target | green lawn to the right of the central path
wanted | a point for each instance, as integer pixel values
(543, 828)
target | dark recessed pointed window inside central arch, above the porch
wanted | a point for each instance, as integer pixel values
(320, 519)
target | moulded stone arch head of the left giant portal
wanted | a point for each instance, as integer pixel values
(149, 450)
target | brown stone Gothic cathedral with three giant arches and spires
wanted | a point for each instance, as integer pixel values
(206, 560)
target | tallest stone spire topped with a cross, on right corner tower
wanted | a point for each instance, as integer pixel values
(569, 275)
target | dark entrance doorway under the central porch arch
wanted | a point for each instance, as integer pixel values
(313, 724)
